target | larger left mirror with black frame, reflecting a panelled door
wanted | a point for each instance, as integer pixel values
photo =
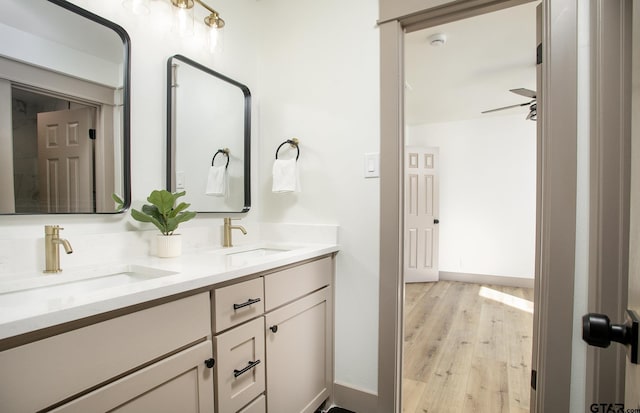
(64, 110)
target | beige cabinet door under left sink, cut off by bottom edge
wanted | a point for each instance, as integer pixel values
(179, 383)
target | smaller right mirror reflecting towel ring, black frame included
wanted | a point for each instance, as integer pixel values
(208, 137)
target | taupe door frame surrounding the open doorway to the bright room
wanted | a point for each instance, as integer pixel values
(557, 175)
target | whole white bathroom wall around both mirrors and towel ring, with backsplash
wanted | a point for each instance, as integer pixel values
(312, 68)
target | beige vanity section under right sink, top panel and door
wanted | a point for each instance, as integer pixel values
(299, 337)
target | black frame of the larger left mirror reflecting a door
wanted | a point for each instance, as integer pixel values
(126, 99)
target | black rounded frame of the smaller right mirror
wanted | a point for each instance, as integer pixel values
(247, 129)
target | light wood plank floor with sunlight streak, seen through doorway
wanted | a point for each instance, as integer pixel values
(465, 352)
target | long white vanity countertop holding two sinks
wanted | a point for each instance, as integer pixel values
(188, 272)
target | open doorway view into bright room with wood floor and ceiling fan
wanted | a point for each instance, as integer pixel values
(475, 102)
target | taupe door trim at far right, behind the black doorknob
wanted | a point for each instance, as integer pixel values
(610, 186)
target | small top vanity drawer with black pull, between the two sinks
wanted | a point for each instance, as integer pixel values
(237, 303)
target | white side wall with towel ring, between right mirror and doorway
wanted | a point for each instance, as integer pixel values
(319, 82)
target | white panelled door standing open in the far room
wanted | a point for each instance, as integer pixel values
(421, 214)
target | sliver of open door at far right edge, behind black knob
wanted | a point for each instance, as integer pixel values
(632, 372)
